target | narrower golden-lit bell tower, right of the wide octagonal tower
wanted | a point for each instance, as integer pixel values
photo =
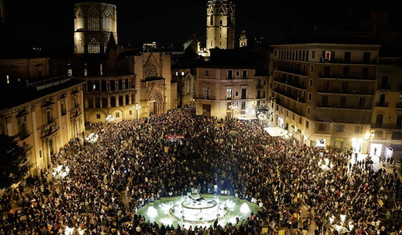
(220, 24)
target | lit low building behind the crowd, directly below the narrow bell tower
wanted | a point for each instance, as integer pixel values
(229, 91)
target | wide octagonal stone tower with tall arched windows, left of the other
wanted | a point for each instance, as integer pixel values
(94, 24)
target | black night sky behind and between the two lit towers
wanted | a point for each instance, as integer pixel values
(51, 22)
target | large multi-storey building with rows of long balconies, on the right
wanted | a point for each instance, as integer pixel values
(322, 94)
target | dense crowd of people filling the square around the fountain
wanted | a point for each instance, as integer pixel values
(132, 164)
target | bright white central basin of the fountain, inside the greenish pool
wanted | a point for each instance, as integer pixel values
(198, 209)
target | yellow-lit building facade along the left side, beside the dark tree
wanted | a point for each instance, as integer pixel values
(50, 114)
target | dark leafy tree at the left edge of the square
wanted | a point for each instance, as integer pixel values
(13, 161)
